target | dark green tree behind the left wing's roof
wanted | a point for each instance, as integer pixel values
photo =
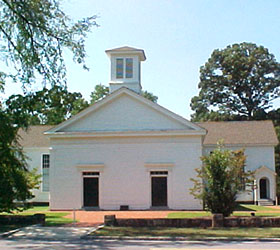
(48, 106)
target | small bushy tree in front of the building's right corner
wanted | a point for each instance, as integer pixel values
(220, 179)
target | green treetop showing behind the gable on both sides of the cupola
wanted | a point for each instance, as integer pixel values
(101, 91)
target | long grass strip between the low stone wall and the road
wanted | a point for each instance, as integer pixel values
(192, 233)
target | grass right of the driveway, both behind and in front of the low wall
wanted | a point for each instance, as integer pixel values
(199, 233)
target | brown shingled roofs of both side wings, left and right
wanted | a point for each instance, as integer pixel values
(233, 133)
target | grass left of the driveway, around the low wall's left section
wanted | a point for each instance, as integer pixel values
(52, 218)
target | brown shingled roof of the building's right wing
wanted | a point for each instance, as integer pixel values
(240, 132)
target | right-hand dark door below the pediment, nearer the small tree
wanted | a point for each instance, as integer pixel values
(159, 191)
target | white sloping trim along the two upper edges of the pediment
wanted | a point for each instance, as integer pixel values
(125, 91)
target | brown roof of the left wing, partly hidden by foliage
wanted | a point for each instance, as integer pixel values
(34, 136)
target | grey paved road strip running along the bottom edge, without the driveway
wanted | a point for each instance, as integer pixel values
(13, 244)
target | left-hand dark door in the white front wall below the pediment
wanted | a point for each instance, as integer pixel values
(91, 192)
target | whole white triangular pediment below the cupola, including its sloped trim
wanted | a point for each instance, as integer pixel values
(124, 110)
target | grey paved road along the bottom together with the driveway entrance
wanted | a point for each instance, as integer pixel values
(39, 238)
